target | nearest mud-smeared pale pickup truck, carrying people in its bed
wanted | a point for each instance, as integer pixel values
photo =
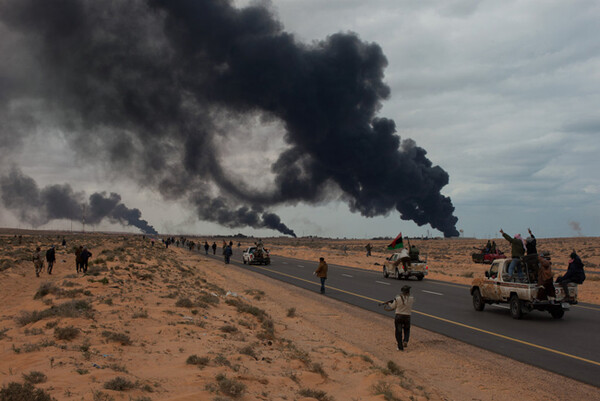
(495, 288)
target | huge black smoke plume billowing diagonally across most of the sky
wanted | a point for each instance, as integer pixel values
(147, 85)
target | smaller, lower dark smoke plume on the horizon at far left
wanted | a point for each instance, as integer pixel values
(37, 207)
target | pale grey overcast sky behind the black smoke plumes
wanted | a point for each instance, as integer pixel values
(503, 96)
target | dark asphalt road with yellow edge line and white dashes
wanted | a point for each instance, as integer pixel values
(567, 346)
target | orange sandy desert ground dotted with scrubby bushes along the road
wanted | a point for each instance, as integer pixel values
(149, 323)
